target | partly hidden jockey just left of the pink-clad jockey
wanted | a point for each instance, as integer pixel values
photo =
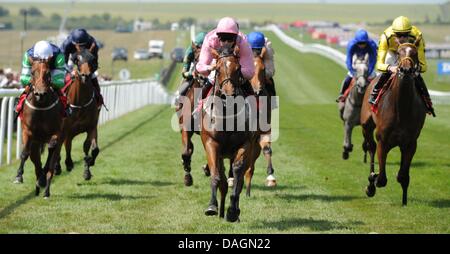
(189, 65)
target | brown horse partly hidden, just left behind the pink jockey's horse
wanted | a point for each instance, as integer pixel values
(187, 123)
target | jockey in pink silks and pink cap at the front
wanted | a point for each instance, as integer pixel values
(226, 34)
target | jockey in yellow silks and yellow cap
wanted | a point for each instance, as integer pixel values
(386, 60)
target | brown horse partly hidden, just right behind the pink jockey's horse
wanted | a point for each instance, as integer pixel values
(258, 83)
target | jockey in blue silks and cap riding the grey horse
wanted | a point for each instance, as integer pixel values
(359, 46)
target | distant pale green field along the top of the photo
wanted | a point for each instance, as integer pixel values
(256, 12)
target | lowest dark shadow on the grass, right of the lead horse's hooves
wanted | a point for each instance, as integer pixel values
(313, 224)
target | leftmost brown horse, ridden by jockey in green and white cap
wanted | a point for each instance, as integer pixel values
(41, 124)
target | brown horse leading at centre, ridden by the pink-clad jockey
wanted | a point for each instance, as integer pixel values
(224, 143)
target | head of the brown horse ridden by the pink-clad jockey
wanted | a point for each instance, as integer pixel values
(228, 70)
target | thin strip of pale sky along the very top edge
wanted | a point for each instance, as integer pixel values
(252, 1)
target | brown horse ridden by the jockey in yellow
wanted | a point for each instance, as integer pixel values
(400, 118)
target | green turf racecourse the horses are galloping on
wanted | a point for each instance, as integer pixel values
(138, 178)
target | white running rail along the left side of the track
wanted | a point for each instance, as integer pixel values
(121, 97)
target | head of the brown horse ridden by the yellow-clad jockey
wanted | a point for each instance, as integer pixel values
(408, 60)
